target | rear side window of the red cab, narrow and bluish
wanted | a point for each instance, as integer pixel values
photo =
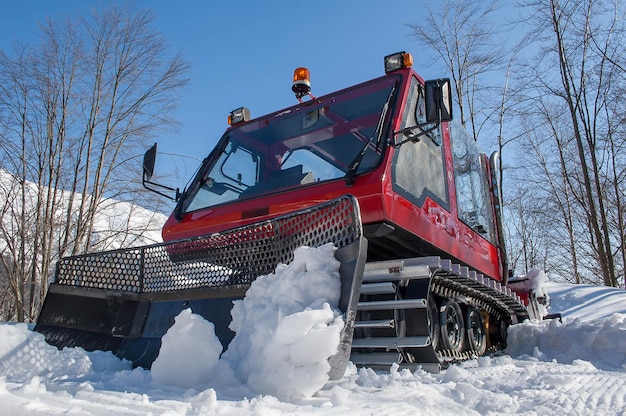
(470, 178)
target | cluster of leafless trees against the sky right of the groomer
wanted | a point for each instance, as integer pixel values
(563, 109)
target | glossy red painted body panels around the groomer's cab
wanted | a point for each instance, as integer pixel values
(431, 222)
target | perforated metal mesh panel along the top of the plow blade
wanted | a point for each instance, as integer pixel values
(233, 257)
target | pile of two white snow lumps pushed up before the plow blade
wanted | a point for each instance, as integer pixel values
(286, 328)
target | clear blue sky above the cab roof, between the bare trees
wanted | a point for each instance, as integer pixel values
(243, 53)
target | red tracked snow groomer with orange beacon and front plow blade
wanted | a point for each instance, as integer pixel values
(378, 169)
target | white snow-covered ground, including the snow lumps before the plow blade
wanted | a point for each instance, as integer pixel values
(276, 366)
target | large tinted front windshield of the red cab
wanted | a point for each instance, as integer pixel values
(300, 146)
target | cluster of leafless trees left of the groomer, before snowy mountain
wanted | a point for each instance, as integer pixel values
(75, 112)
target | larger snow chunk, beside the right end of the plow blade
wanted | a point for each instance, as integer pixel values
(288, 325)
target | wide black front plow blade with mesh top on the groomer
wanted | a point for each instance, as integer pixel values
(124, 301)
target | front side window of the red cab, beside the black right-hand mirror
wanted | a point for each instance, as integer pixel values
(419, 166)
